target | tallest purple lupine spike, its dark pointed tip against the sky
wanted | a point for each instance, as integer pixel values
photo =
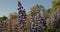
(22, 17)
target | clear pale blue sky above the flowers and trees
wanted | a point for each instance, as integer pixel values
(10, 6)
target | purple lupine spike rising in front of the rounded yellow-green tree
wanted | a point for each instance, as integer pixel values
(40, 21)
